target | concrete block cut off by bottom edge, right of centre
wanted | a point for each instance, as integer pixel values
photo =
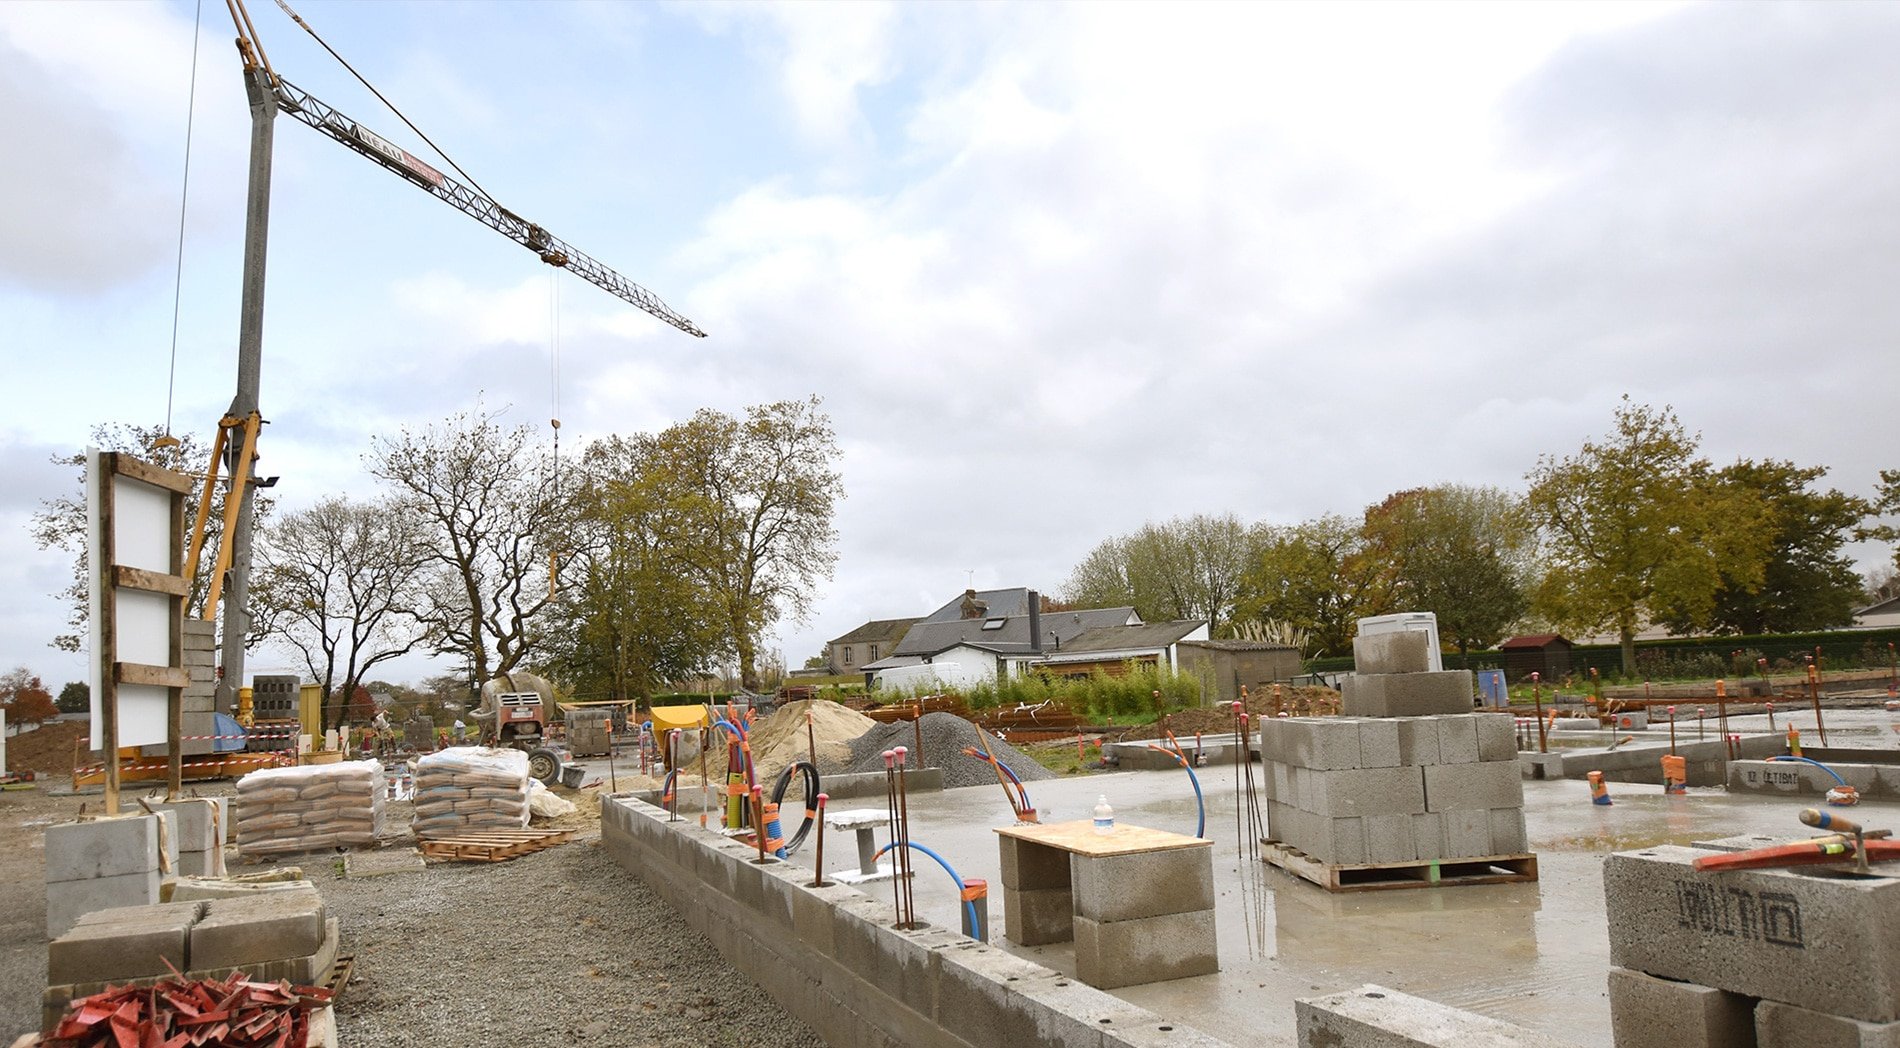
(1375, 1017)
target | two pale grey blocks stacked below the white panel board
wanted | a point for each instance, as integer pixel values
(107, 863)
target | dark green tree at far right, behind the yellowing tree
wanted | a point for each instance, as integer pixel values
(1806, 582)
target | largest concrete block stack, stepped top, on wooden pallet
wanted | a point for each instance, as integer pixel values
(1411, 774)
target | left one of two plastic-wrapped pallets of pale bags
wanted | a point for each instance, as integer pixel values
(313, 808)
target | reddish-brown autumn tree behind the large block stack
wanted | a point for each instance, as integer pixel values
(1460, 553)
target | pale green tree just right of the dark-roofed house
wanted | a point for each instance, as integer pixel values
(1185, 569)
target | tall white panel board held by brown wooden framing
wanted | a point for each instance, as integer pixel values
(142, 538)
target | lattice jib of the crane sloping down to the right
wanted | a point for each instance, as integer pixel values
(474, 204)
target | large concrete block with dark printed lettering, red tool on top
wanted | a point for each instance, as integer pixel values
(1815, 939)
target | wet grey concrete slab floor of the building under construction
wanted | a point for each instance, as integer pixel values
(1527, 954)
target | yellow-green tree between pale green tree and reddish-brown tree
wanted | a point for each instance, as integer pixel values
(1321, 578)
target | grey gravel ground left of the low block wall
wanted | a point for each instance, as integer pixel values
(552, 948)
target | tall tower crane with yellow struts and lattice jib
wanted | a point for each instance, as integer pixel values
(238, 430)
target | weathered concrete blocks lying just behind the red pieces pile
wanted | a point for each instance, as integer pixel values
(280, 935)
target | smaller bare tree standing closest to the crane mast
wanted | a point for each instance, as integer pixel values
(341, 584)
